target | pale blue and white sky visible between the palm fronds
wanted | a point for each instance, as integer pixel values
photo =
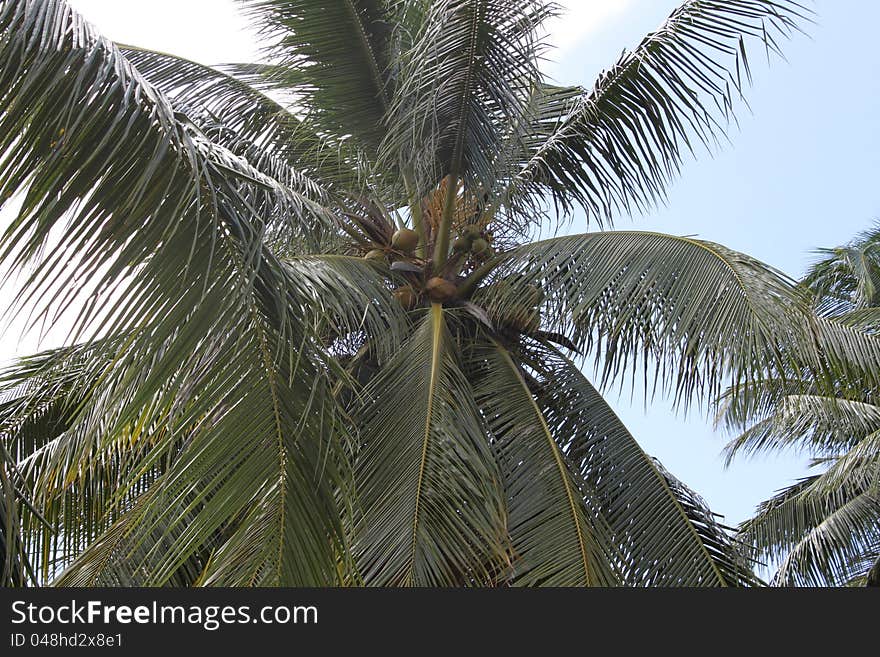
(800, 173)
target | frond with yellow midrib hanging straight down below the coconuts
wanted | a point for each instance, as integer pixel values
(430, 504)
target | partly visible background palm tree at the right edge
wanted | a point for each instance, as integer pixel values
(824, 529)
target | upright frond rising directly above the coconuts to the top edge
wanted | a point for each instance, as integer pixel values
(465, 78)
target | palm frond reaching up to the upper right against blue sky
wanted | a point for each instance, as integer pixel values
(620, 144)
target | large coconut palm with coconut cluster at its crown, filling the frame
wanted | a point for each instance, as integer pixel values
(314, 342)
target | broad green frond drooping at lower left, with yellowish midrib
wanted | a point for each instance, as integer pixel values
(251, 447)
